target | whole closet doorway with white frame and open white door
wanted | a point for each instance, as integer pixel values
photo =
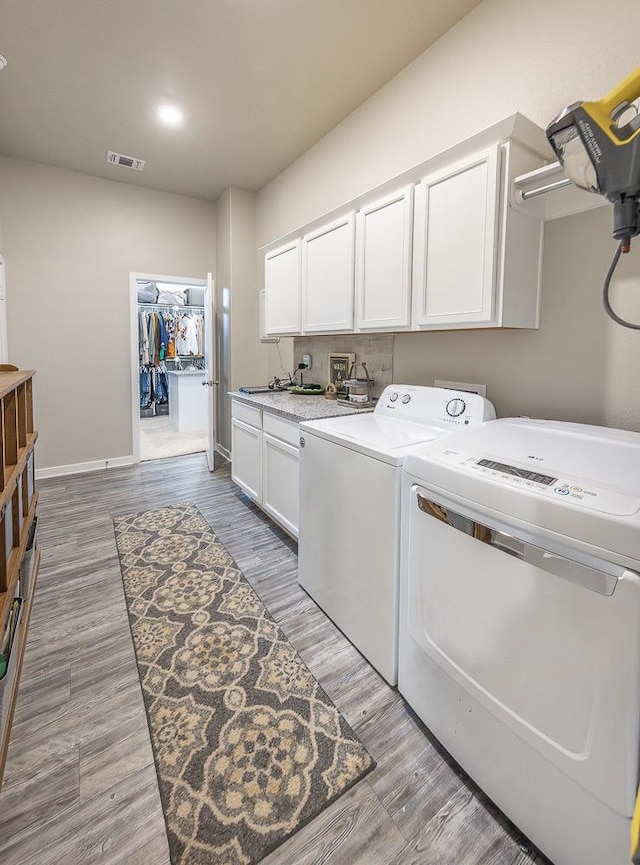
(172, 354)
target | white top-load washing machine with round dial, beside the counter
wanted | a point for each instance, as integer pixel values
(349, 518)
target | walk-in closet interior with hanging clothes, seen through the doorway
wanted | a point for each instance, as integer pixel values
(171, 359)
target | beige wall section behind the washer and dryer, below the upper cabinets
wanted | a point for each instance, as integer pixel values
(579, 366)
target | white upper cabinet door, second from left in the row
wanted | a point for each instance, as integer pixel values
(328, 277)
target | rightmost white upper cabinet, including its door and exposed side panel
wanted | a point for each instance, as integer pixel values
(476, 260)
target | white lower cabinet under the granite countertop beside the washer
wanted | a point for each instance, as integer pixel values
(264, 462)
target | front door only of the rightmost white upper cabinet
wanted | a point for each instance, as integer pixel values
(455, 244)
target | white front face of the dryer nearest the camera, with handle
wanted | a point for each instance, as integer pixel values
(524, 664)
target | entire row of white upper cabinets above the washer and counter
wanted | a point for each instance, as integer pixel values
(441, 246)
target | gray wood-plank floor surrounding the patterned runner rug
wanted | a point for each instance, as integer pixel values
(80, 784)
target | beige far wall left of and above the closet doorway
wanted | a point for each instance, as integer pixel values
(70, 241)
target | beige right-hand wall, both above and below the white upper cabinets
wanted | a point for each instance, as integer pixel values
(505, 56)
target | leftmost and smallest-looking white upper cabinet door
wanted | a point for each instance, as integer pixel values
(282, 284)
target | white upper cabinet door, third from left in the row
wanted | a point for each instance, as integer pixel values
(383, 263)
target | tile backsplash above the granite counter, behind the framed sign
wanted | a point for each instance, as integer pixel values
(376, 350)
